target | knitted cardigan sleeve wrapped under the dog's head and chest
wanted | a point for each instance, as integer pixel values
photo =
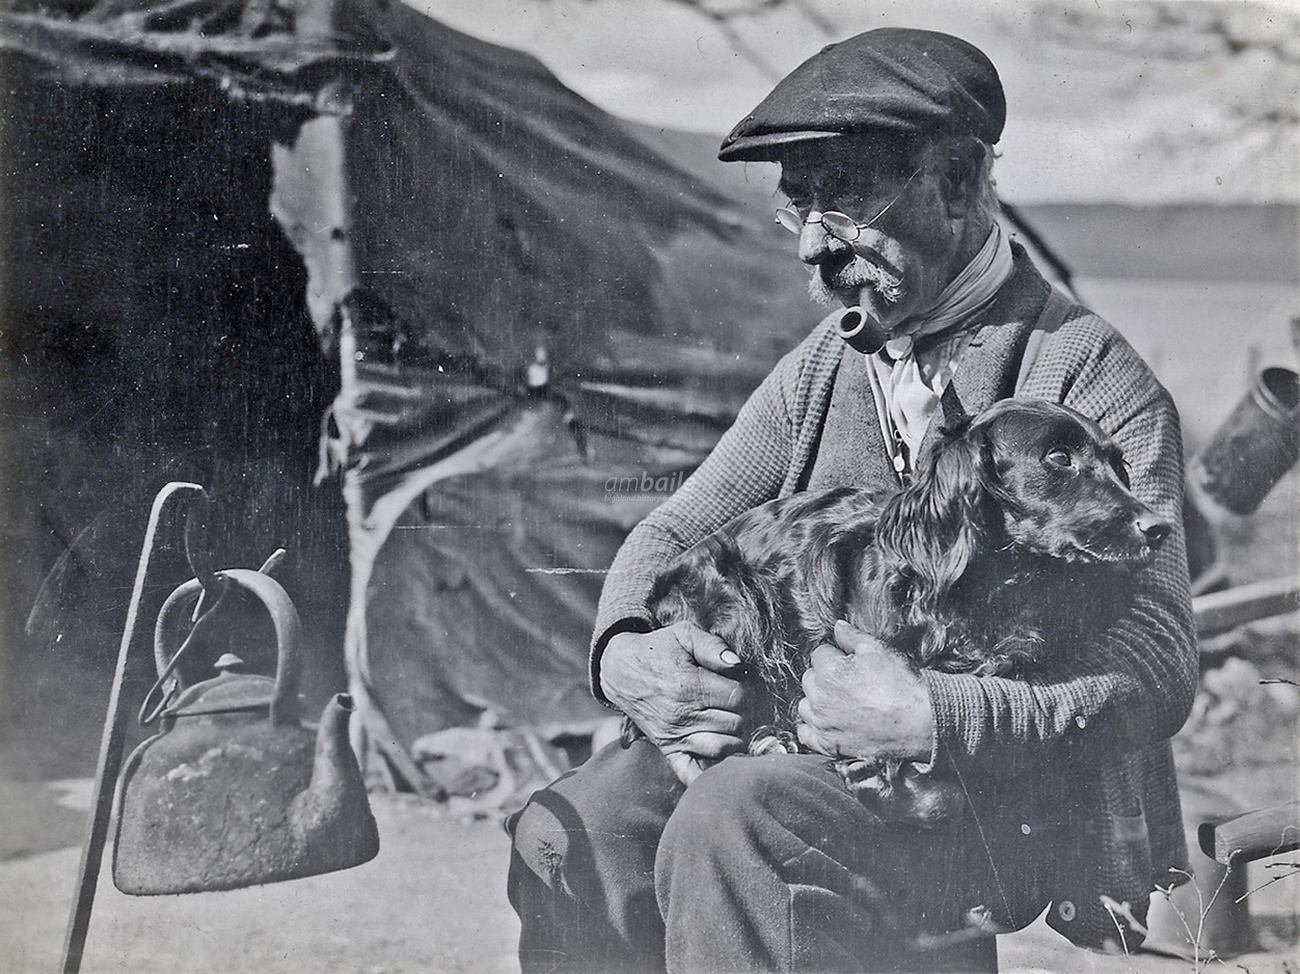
(1132, 683)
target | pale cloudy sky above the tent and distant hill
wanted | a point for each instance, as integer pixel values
(1094, 114)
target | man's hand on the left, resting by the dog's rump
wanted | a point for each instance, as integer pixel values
(681, 686)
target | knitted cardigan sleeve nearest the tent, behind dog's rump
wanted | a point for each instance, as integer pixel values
(746, 469)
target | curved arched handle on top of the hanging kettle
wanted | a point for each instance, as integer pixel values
(284, 618)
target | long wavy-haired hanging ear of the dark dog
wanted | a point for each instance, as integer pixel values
(930, 531)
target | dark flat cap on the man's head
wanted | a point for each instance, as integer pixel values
(890, 80)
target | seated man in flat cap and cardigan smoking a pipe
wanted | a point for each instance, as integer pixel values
(768, 863)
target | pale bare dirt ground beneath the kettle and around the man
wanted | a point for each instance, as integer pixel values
(432, 902)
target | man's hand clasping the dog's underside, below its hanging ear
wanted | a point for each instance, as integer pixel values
(865, 702)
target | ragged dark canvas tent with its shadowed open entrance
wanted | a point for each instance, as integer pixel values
(331, 249)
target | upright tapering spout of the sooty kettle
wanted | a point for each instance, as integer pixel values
(333, 809)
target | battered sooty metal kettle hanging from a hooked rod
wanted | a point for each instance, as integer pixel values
(235, 791)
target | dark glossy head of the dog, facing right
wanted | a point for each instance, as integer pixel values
(1046, 480)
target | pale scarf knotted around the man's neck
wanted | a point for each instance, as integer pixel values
(915, 384)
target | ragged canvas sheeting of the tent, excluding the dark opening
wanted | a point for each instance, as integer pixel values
(541, 324)
